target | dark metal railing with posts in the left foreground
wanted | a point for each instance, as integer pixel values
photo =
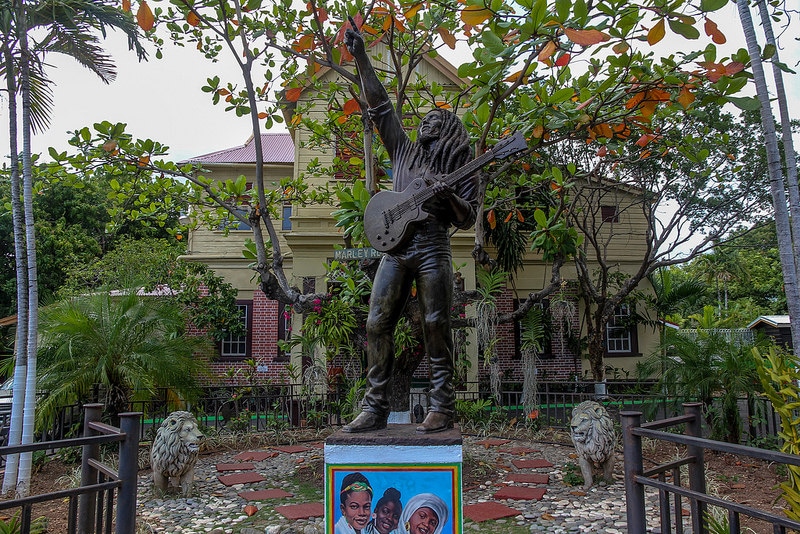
(91, 506)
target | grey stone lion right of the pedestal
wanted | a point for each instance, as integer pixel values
(593, 435)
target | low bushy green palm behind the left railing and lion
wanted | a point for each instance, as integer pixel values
(130, 345)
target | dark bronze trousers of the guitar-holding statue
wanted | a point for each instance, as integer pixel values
(426, 259)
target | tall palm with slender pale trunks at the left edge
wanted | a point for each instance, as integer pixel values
(68, 27)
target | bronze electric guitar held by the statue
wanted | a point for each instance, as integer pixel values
(389, 214)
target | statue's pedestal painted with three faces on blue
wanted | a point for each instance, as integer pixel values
(425, 469)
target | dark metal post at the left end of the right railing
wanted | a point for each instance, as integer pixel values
(632, 453)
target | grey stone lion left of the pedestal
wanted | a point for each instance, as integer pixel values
(174, 451)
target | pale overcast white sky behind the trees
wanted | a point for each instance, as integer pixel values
(162, 99)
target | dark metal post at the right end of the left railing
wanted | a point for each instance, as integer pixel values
(128, 472)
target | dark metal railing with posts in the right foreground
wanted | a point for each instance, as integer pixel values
(671, 494)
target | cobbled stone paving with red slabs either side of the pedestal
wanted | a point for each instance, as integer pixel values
(529, 493)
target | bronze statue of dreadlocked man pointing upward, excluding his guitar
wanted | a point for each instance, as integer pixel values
(422, 254)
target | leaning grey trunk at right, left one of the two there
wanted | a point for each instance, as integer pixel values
(777, 186)
